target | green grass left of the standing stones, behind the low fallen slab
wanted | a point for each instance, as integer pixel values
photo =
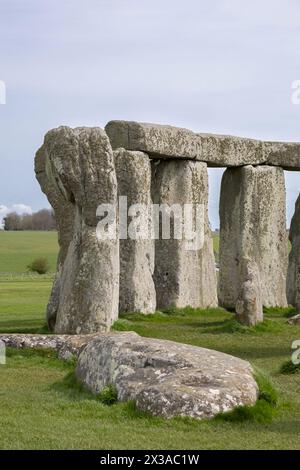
(23, 296)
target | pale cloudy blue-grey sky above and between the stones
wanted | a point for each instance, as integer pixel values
(219, 66)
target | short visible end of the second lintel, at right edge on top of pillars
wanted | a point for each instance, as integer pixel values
(283, 154)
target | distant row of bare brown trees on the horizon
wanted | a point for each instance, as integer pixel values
(41, 220)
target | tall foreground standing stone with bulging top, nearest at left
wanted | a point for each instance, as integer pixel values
(79, 163)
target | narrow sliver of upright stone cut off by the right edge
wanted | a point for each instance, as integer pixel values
(293, 277)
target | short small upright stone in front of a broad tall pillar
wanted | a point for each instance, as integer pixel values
(248, 307)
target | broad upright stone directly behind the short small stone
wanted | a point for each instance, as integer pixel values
(253, 227)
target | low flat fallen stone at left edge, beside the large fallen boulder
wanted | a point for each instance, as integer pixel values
(67, 346)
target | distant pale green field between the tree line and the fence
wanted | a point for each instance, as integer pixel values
(18, 249)
